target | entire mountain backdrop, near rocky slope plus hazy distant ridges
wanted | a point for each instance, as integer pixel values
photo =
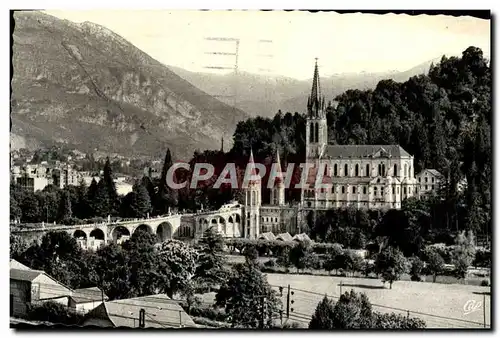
(84, 86)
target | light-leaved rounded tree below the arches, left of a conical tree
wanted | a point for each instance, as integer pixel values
(177, 265)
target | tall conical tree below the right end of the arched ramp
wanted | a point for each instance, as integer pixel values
(210, 269)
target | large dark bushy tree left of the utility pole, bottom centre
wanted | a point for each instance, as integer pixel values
(243, 294)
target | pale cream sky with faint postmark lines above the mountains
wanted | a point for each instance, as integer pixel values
(343, 43)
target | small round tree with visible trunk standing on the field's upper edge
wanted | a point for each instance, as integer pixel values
(391, 264)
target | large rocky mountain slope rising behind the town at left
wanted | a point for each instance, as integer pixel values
(85, 86)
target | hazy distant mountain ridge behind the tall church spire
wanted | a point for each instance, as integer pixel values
(263, 95)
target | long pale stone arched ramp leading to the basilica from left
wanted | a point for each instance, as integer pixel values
(178, 226)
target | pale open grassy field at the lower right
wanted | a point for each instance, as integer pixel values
(439, 305)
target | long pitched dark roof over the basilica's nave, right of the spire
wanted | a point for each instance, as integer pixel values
(364, 151)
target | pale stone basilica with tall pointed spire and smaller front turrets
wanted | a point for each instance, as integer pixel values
(359, 176)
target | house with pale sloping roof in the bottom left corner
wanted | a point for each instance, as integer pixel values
(29, 286)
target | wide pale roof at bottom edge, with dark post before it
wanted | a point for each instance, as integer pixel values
(160, 311)
